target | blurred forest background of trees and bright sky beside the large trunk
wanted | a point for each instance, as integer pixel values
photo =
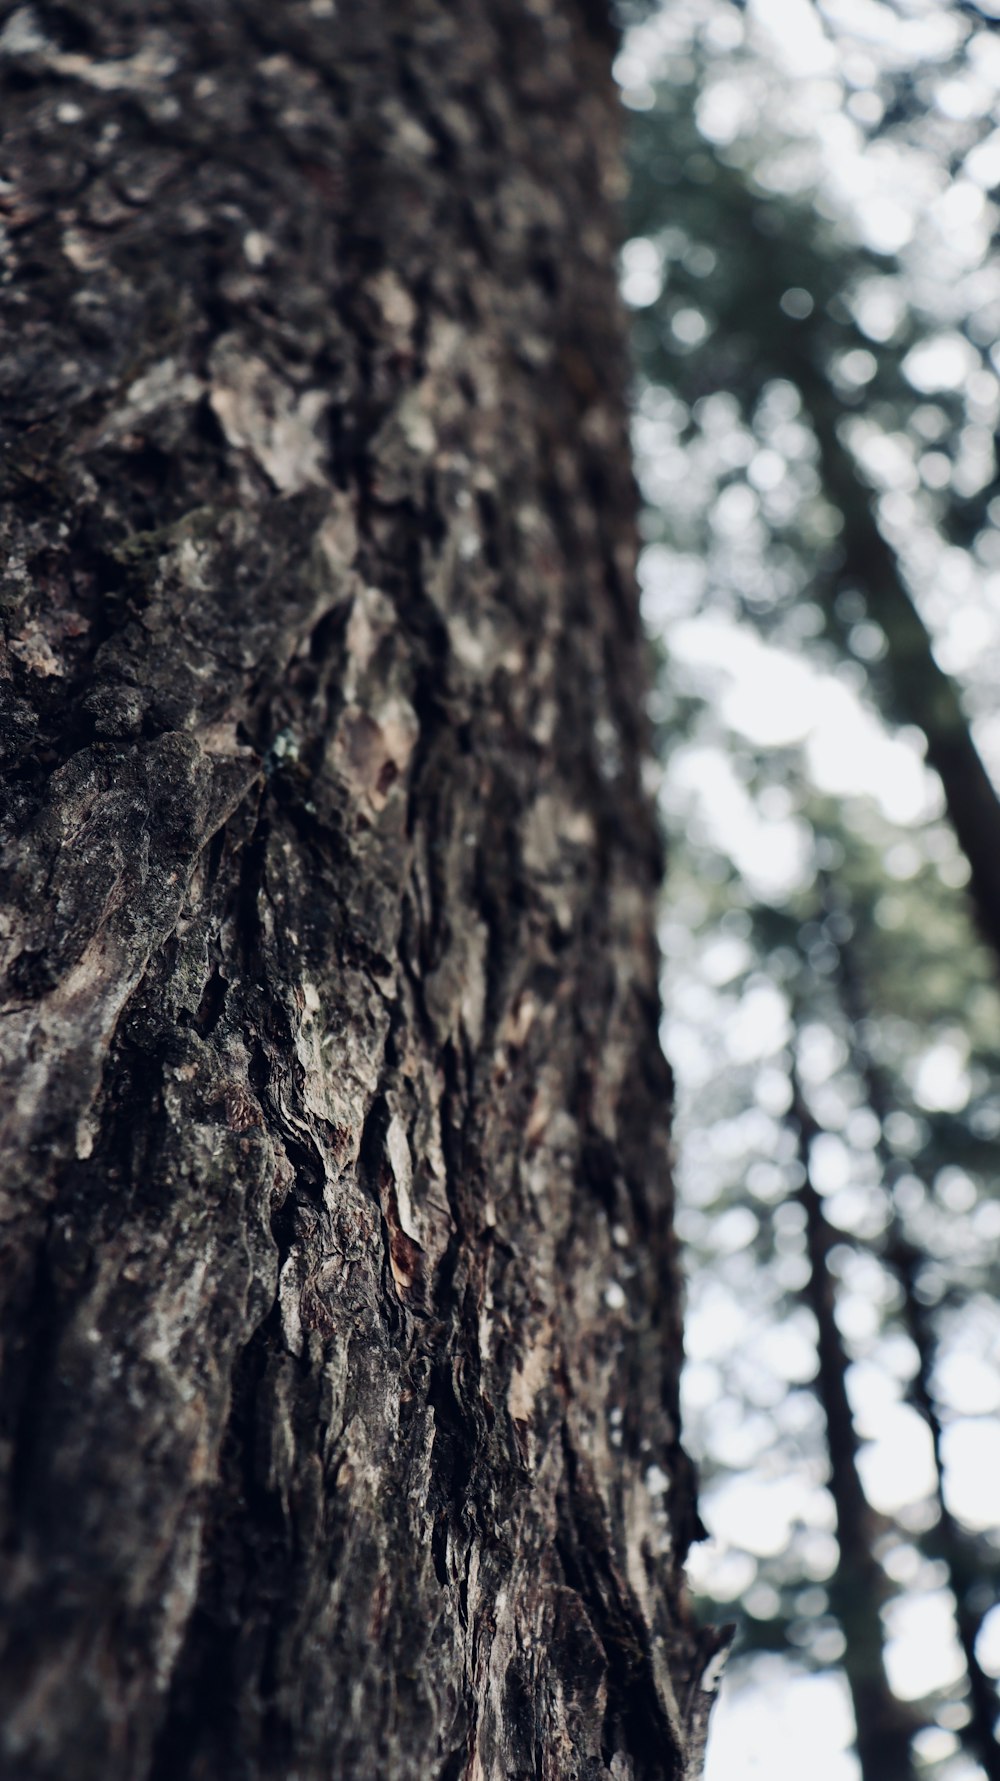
(816, 289)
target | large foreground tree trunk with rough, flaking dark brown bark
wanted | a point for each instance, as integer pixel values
(340, 1297)
